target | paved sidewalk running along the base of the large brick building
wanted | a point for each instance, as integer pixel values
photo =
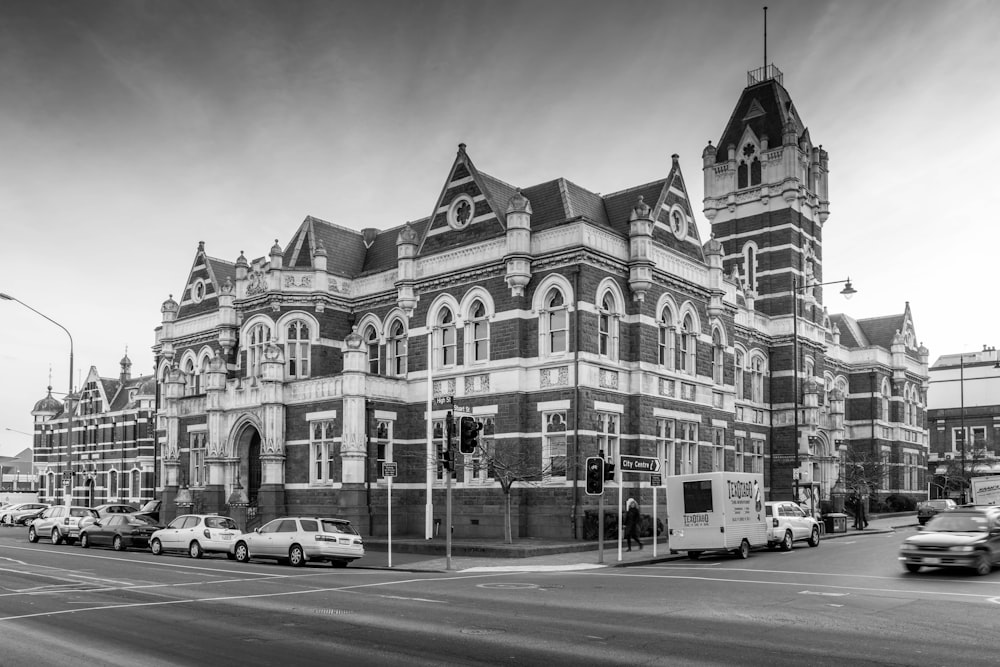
(537, 555)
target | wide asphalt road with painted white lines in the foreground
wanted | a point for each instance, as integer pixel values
(847, 601)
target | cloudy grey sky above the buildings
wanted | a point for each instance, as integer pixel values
(131, 130)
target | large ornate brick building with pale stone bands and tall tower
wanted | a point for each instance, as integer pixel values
(566, 322)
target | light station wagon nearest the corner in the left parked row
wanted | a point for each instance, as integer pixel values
(302, 539)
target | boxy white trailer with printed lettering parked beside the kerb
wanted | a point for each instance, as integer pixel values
(716, 511)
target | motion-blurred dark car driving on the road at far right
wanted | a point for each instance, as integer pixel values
(963, 537)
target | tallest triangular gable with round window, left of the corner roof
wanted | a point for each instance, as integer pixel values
(468, 208)
